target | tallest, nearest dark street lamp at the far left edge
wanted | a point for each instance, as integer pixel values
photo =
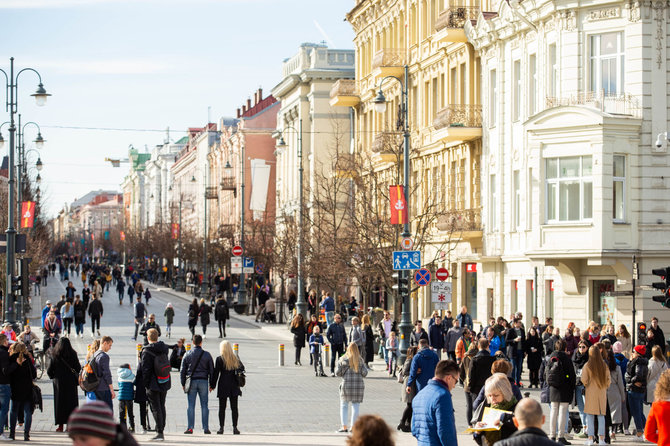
(11, 105)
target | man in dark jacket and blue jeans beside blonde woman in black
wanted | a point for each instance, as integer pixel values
(197, 369)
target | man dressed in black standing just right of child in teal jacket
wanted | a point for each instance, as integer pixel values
(156, 376)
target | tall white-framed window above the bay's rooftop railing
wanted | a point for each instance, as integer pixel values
(607, 63)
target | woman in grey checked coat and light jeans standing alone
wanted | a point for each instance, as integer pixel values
(352, 370)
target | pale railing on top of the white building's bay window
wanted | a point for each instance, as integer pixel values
(618, 104)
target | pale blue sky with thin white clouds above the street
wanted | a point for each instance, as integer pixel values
(123, 71)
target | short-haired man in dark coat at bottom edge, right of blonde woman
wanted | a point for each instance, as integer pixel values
(529, 419)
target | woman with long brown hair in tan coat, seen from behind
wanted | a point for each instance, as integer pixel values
(596, 380)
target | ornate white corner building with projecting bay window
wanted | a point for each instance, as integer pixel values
(573, 185)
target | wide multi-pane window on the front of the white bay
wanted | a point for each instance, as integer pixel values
(569, 189)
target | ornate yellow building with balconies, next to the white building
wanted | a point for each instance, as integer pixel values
(444, 110)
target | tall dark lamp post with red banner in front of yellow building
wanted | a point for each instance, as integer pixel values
(380, 107)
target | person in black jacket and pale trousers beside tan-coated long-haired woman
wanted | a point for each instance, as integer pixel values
(561, 379)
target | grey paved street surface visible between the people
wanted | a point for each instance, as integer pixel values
(280, 405)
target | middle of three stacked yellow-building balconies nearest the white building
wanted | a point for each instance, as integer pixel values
(458, 122)
